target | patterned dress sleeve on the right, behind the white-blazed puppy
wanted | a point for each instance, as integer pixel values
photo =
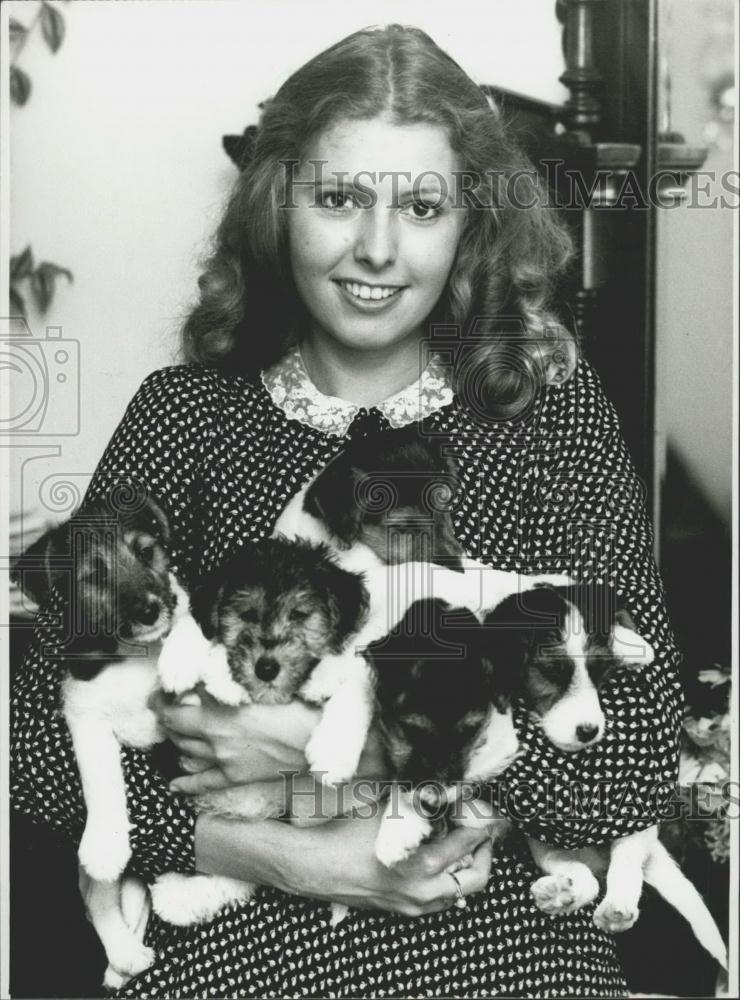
(583, 513)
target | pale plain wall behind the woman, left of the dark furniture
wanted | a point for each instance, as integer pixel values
(118, 172)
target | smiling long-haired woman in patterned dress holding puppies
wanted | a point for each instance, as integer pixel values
(371, 217)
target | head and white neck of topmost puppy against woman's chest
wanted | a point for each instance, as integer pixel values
(385, 498)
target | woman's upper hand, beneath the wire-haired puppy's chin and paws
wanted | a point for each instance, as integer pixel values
(226, 746)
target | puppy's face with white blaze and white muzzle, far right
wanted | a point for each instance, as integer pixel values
(559, 645)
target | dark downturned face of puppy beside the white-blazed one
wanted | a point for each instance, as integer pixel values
(433, 692)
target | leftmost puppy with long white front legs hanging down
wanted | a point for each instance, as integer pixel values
(120, 600)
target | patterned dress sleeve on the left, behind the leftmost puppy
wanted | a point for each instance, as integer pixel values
(160, 444)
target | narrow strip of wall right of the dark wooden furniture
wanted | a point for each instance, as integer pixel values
(695, 267)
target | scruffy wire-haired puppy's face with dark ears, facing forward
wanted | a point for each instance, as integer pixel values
(278, 608)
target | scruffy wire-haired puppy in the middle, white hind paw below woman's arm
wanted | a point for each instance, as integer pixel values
(273, 613)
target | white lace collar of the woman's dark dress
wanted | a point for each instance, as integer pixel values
(291, 389)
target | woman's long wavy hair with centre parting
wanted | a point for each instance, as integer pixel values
(511, 252)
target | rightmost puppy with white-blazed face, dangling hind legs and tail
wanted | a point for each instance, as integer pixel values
(563, 643)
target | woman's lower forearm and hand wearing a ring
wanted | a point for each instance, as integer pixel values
(336, 862)
